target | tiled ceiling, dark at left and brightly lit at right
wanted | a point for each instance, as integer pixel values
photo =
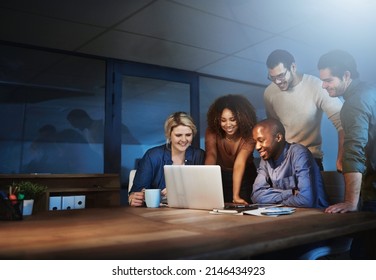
(226, 38)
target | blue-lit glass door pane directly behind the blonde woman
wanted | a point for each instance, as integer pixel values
(146, 103)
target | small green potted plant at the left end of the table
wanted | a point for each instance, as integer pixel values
(28, 192)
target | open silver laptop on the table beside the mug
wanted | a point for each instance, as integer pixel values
(194, 186)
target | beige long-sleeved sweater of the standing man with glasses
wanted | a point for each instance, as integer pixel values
(300, 110)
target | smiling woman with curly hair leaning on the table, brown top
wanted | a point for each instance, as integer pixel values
(229, 143)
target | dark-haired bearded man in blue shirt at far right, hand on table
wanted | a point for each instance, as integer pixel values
(339, 75)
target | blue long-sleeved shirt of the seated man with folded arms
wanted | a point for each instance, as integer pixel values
(294, 169)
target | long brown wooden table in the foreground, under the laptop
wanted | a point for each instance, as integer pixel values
(164, 233)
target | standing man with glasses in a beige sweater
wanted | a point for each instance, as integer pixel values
(298, 101)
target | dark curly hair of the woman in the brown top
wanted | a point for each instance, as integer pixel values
(243, 110)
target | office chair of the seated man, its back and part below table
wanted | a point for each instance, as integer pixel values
(335, 188)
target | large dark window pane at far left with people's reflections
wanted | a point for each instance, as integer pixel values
(38, 90)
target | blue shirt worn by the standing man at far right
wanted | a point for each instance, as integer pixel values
(358, 117)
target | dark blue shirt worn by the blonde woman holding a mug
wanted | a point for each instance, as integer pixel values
(150, 173)
